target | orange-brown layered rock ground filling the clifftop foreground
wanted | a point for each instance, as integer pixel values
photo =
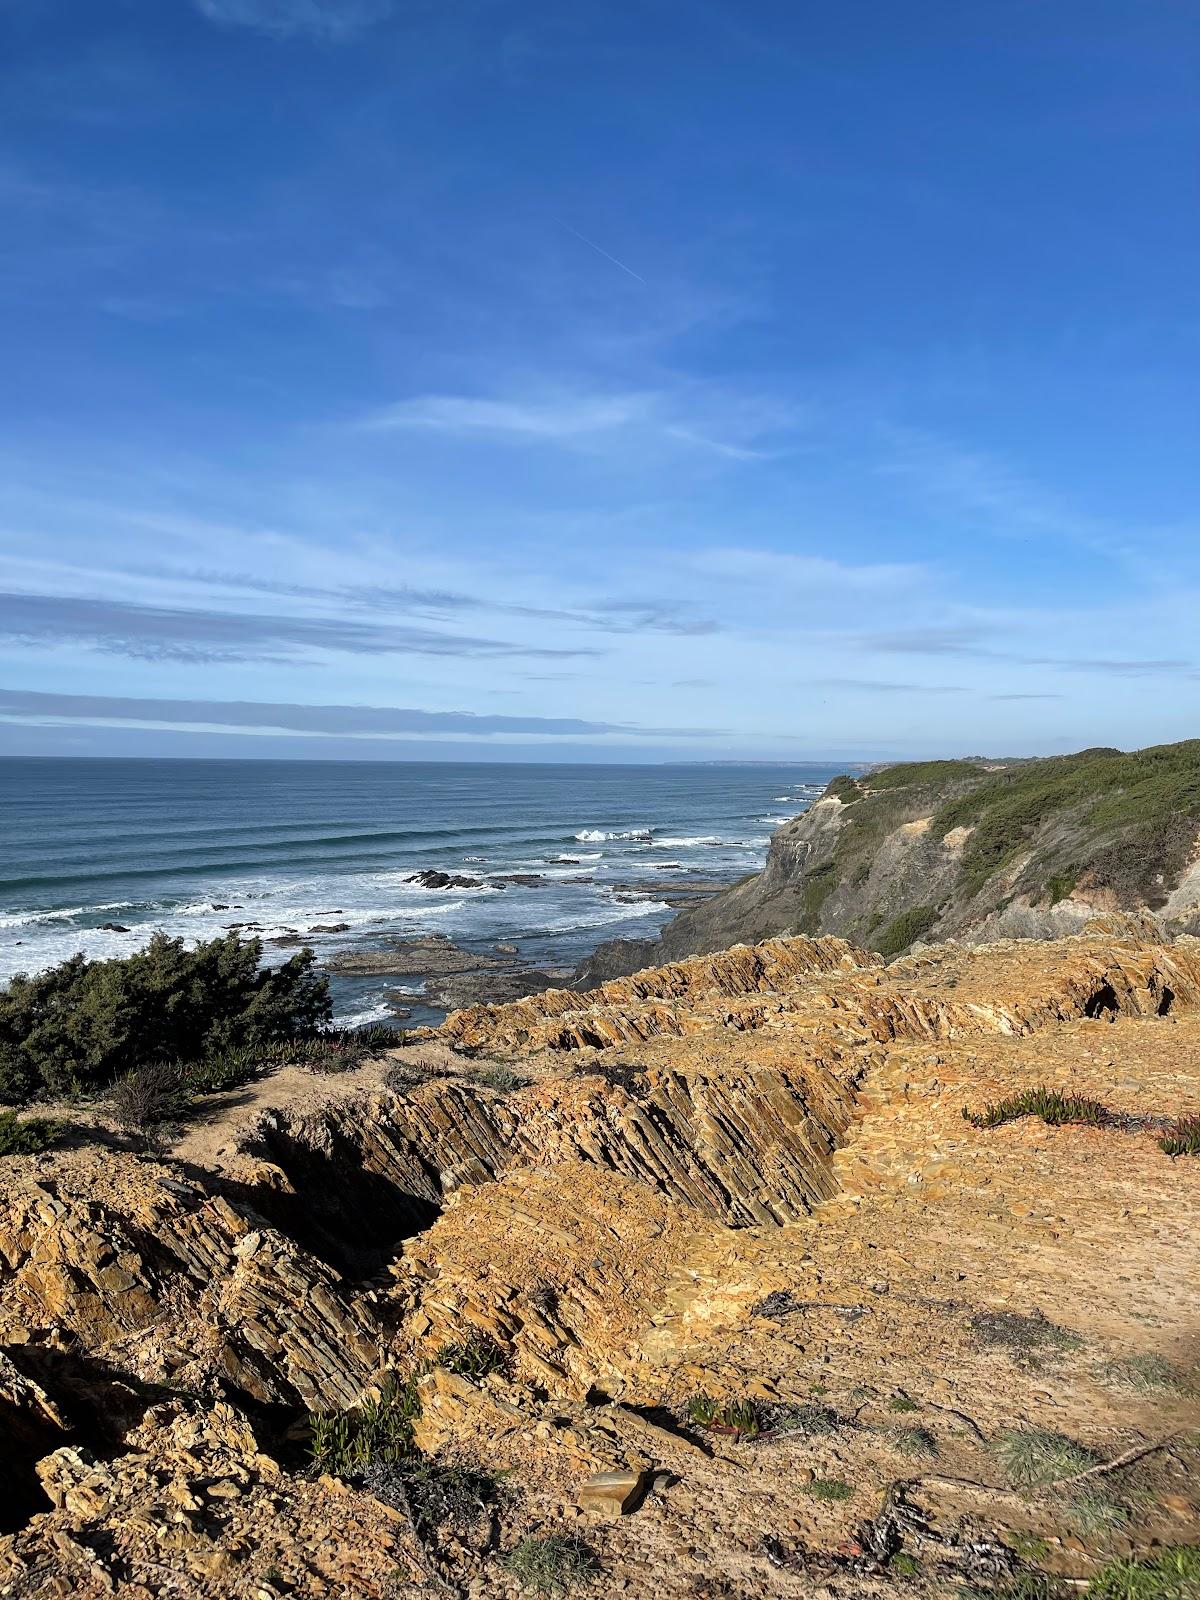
(745, 1178)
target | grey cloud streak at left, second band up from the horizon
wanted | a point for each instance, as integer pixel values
(174, 634)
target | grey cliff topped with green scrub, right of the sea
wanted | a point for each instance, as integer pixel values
(978, 852)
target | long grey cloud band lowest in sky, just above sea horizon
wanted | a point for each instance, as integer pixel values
(313, 721)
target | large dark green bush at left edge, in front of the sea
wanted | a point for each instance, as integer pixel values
(86, 1023)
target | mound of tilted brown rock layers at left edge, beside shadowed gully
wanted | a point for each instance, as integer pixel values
(108, 1255)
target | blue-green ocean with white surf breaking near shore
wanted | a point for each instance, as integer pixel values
(196, 847)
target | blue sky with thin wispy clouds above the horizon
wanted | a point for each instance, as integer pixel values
(628, 380)
